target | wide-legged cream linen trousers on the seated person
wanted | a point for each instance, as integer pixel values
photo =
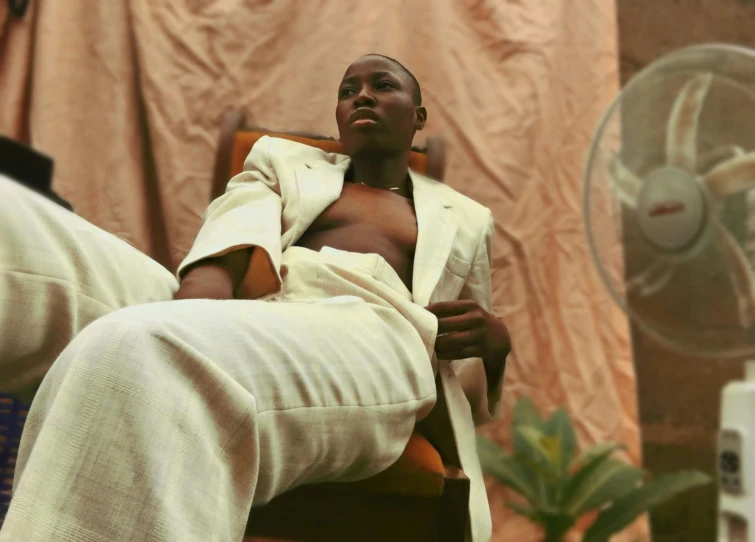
(167, 420)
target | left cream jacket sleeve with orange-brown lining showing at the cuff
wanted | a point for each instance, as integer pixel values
(247, 215)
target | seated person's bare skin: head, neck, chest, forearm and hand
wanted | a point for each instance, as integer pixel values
(377, 118)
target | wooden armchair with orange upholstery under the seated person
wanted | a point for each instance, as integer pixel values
(418, 499)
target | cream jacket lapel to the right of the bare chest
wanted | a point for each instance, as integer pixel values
(437, 225)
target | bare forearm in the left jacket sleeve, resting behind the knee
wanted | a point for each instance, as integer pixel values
(215, 278)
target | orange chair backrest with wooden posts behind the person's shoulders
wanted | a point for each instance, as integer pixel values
(237, 139)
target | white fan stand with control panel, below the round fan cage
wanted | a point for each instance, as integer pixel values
(736, 460)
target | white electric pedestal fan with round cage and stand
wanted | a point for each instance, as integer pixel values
(669, 201)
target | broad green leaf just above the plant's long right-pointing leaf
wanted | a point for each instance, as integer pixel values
(608, 481)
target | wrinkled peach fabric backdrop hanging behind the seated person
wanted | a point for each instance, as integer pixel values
(127, 97)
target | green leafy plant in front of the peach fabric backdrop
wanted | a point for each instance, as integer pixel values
(559, 488)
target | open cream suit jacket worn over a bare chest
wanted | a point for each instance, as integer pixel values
(286, 185)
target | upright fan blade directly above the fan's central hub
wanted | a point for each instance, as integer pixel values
(681, 132)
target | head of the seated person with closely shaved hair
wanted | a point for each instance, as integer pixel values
(376, 109)
